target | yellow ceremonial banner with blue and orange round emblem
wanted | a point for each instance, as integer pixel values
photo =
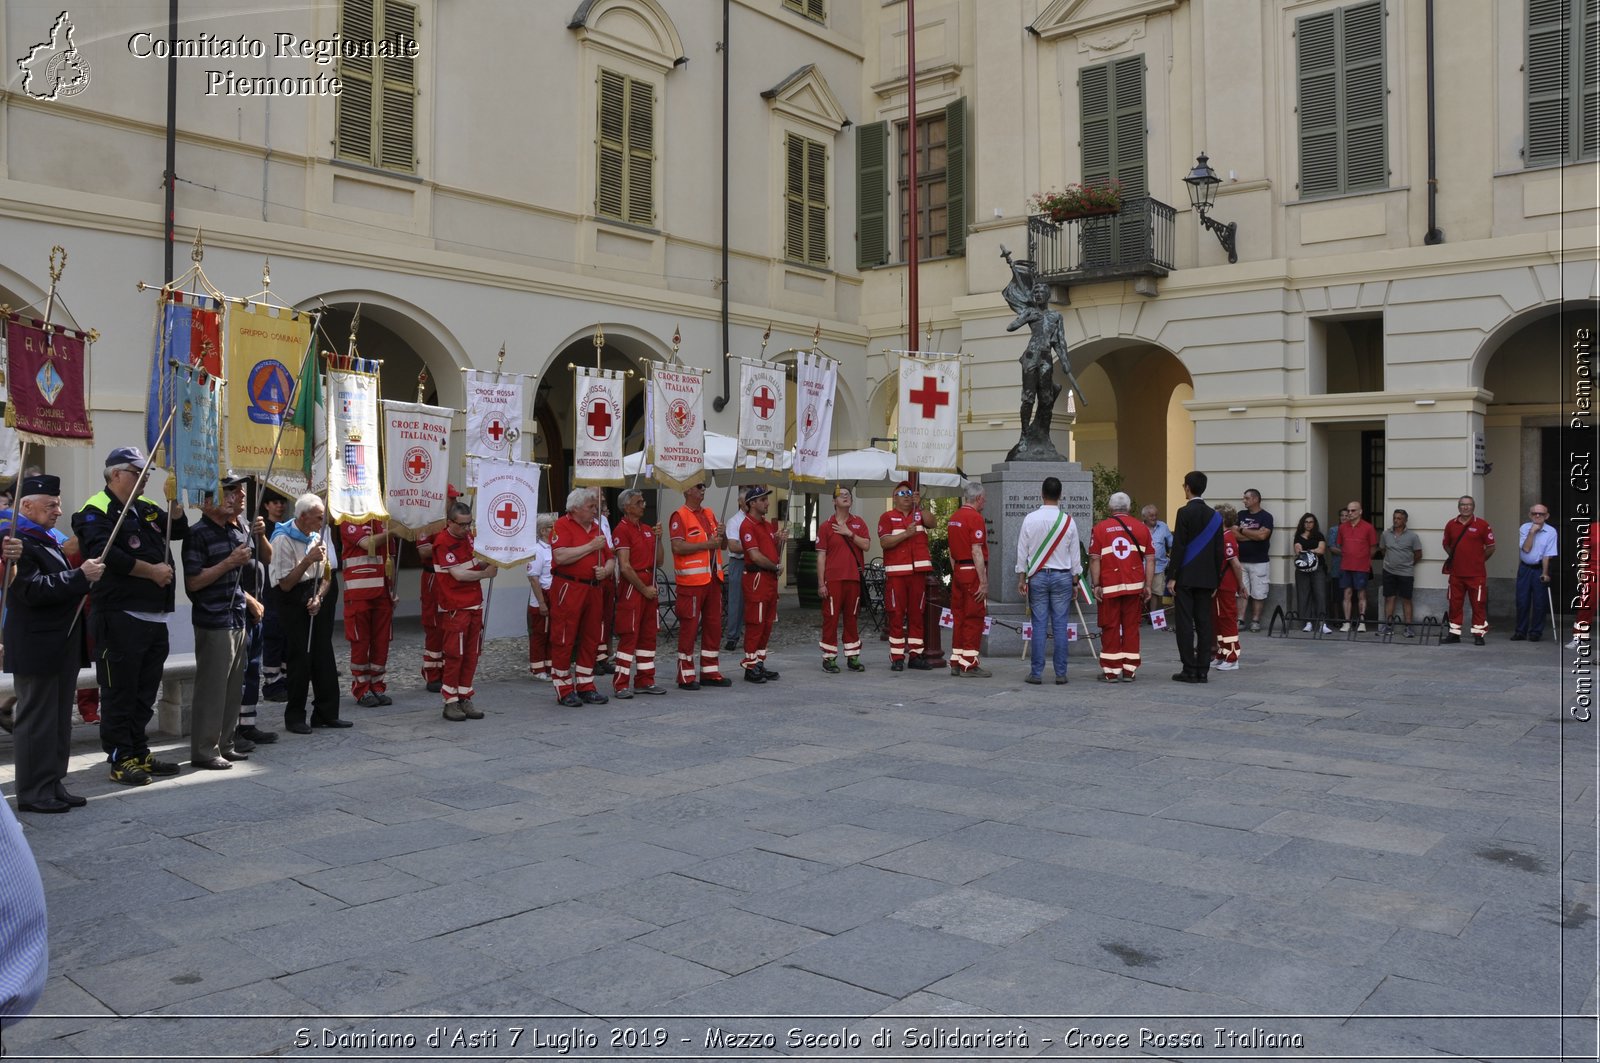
(266, 351)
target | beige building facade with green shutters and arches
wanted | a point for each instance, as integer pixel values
(1402, 302)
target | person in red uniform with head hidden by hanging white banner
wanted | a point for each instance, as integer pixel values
(367, 556)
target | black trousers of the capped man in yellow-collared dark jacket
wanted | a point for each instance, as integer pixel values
(129, 659)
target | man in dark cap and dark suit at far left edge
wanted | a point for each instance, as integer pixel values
(44, 638)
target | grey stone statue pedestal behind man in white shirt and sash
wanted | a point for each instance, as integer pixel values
(1014, 494)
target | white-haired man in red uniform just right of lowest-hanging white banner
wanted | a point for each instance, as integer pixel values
(580, 563)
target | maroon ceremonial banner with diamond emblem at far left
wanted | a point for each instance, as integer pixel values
(49, 398)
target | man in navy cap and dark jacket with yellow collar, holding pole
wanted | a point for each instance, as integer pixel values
(132, 604)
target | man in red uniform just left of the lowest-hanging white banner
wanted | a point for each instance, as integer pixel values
(460, 601)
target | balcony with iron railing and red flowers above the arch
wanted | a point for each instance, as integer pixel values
(1135, 243)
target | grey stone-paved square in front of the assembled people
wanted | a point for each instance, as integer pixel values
(1345, 849)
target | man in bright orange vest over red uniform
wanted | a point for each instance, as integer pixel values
(697, 560)
